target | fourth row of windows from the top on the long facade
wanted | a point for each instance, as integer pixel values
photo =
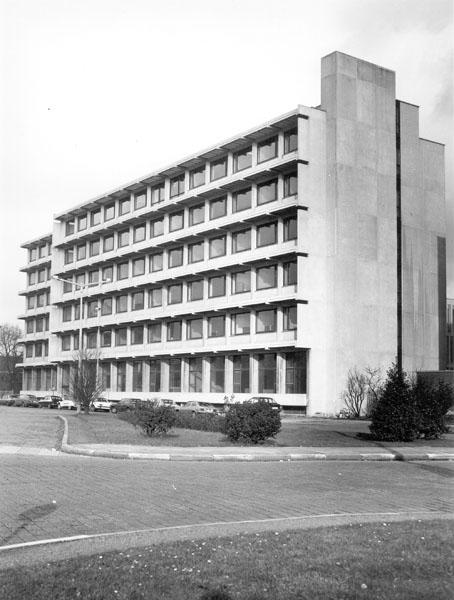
(266, 277)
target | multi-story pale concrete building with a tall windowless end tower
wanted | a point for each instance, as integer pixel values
(268, 264)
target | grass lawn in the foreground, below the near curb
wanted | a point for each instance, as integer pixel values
(381, 561)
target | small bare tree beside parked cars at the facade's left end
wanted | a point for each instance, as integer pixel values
(85, 384)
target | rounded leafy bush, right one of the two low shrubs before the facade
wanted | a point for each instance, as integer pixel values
(252, 421)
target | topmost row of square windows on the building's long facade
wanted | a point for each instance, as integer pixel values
(266, 150)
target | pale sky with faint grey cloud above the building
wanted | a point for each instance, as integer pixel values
(96, 93)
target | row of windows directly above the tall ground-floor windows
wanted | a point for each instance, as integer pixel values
(240, 324)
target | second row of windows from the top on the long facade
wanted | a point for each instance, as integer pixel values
(176, 222)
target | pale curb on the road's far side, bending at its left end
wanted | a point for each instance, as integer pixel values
(245, 457)
